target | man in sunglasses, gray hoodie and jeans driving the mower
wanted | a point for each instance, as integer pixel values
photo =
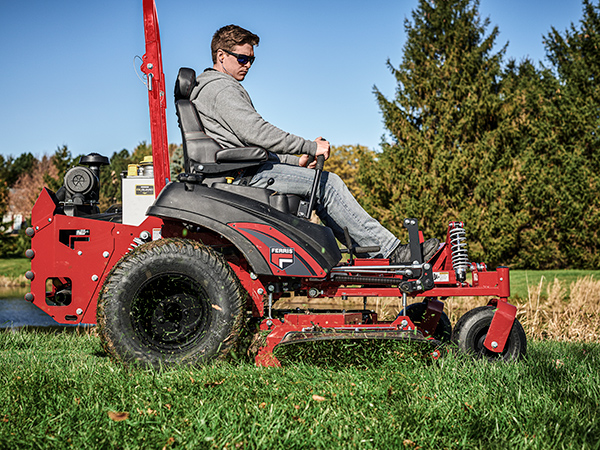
(229, 117)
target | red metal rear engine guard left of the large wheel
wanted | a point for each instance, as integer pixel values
(85, 261)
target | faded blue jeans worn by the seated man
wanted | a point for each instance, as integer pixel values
(336, 206)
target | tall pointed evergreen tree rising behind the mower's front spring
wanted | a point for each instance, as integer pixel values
(441, 124)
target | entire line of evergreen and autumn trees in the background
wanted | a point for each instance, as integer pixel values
(509, 147)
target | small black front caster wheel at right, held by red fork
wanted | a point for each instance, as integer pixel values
(471, 330)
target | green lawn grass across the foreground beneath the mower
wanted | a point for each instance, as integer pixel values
(59, 390)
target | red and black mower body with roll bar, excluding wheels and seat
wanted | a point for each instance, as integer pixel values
(72, 256)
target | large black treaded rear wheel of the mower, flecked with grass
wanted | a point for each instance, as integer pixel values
(170, 301)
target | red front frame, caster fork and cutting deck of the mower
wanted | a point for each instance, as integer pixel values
(484, 283)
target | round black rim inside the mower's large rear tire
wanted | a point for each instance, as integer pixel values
(170, 312)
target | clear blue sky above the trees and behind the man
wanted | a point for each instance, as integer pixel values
(68, 75)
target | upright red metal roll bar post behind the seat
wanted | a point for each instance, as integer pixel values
(152, 67)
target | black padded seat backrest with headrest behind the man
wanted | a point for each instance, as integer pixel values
(197, 146)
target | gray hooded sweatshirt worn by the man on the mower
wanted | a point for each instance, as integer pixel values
(229, 117)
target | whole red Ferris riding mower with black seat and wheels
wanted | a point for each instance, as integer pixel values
(178, 283)
